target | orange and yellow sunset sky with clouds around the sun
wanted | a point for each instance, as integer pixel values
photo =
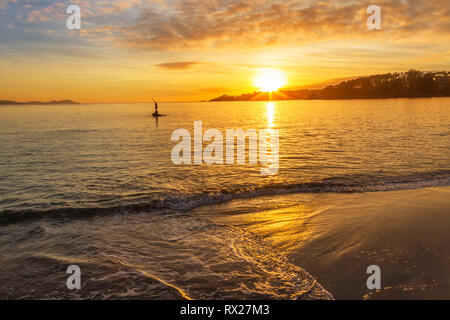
(179, 50)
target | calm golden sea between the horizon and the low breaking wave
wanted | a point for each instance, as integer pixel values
(100, 156)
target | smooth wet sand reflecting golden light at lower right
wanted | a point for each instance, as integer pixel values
(335, 237)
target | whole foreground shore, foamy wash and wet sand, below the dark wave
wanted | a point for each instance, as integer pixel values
(291, 246)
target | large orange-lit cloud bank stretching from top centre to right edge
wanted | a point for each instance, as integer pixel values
(216, 24)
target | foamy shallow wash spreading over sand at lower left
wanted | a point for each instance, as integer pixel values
(175, 256)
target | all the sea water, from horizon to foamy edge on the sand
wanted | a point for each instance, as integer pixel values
(95, 185)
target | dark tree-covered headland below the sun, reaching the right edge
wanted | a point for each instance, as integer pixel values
(411, 84)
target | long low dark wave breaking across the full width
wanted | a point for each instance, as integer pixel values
(184, 201)
